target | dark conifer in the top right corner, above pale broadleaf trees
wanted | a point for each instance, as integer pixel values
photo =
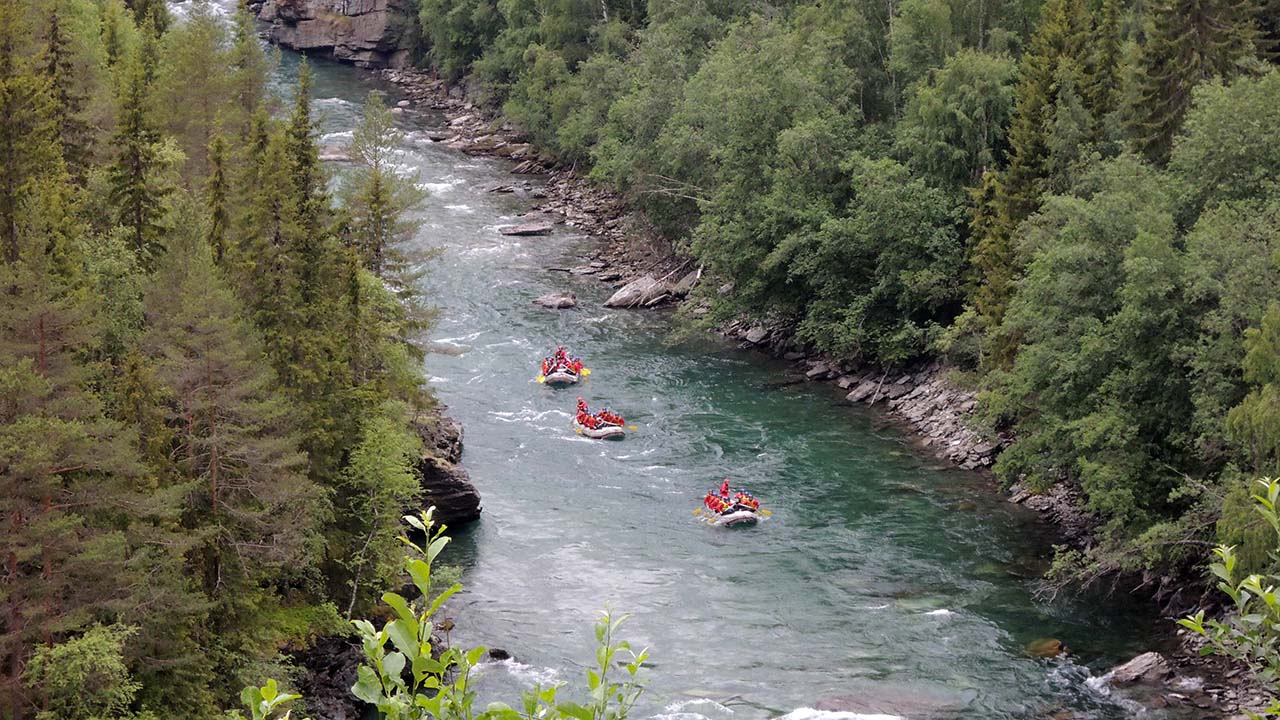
(1190, 42)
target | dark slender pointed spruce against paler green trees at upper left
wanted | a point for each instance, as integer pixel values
(139, 189)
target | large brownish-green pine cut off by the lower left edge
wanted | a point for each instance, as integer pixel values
(65, 470)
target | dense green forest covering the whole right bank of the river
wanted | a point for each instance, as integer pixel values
(1076, 199)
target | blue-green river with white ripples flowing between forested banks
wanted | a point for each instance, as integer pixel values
(884, 580)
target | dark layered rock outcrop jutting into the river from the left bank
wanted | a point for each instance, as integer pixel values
(446, 485)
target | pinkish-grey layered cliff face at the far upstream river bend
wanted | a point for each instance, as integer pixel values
(372, 34)
